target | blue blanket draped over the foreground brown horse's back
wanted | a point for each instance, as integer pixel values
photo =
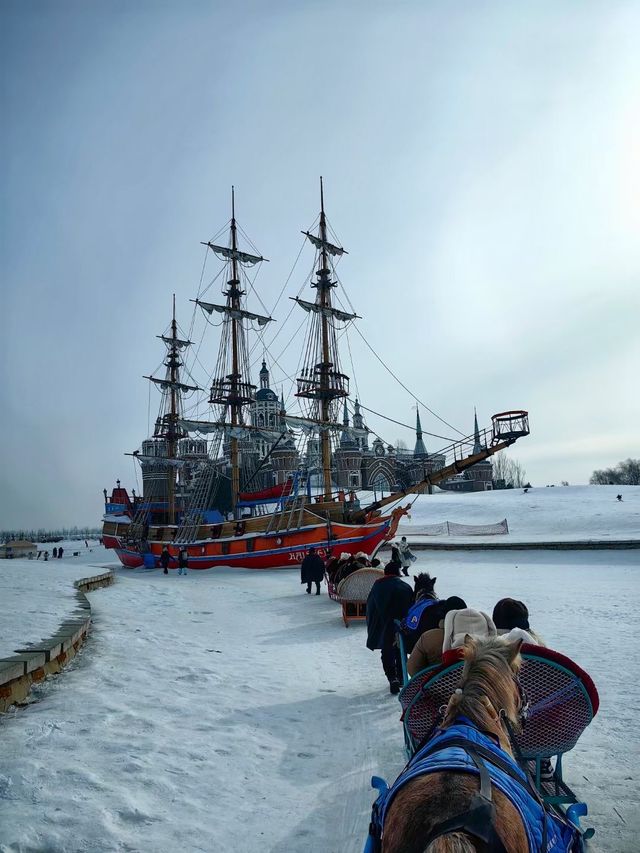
(457, 749)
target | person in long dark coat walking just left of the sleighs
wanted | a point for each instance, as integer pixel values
(390, 599)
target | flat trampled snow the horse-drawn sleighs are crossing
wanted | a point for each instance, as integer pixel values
(228, 711)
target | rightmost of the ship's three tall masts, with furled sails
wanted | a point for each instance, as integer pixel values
(321, 379)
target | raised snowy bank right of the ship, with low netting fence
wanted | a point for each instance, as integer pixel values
(558, 514)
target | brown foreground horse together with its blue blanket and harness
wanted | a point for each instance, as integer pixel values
(449, 810)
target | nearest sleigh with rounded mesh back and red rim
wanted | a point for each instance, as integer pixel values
(562, 702)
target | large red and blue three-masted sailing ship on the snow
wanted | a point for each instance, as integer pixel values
(202, 486)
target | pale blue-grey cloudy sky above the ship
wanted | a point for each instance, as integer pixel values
(481, 166)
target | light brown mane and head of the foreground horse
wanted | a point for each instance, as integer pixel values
(487, 689)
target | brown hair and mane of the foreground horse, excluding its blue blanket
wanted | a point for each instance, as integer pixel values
(489, 693)
